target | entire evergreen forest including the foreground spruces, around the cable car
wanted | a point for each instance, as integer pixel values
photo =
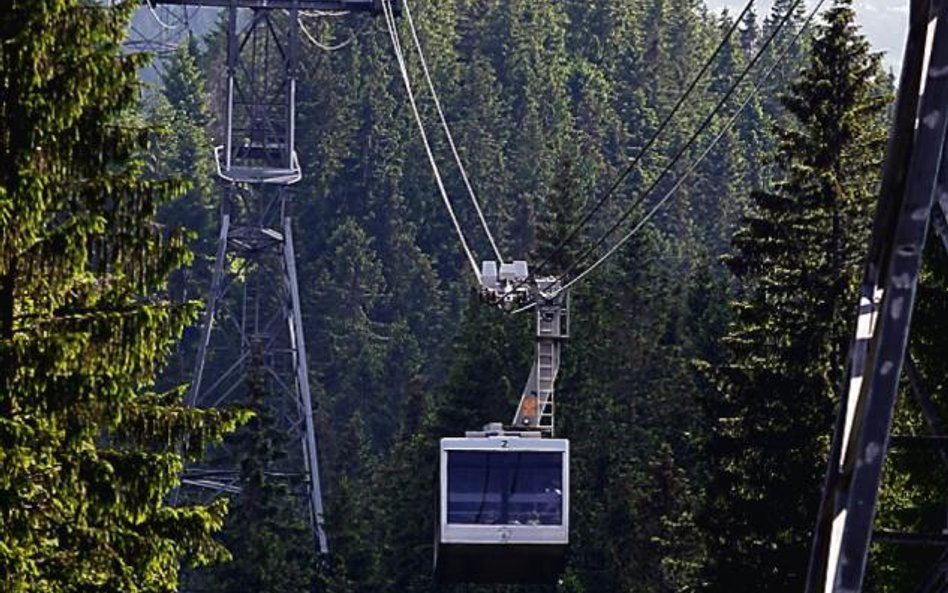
(700, 381)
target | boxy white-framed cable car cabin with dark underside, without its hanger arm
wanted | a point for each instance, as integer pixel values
(504, 509)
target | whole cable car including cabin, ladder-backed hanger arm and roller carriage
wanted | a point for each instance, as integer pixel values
(503, 513)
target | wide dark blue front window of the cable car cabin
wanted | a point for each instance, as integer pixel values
(505, 488)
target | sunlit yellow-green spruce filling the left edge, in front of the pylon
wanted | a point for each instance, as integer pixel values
(88, 452)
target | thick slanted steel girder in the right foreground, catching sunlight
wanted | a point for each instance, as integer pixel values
(914, 191)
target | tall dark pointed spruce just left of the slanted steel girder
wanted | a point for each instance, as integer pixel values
(796, 259)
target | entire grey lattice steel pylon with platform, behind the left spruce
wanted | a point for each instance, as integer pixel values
(252, 324)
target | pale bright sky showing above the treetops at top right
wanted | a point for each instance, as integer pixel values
(884, 22)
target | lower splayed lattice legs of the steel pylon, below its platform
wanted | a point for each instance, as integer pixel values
(253, 327)
